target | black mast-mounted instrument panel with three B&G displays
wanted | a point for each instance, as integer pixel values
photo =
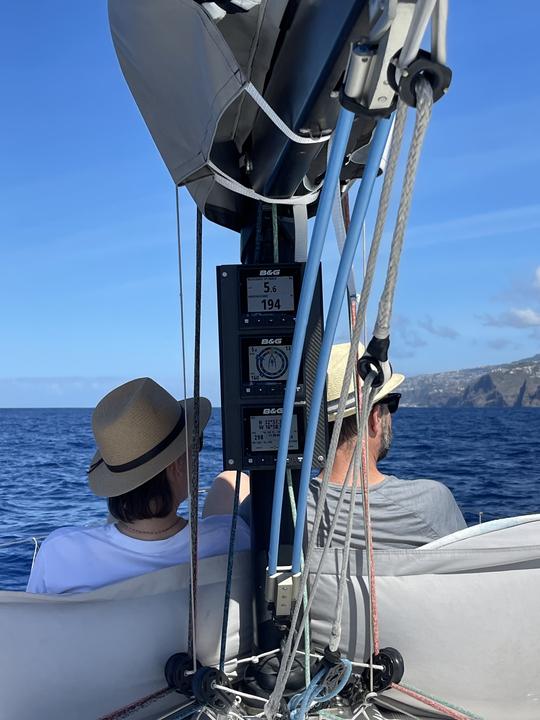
(257, 314)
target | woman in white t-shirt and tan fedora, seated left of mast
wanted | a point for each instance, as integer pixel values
(142, 434)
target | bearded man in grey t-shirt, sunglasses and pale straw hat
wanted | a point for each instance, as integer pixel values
(404, 513)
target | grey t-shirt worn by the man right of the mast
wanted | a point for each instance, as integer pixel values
(404, 513)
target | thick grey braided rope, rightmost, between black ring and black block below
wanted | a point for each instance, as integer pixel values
(424, 105)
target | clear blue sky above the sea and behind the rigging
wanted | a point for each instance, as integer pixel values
(88, 269)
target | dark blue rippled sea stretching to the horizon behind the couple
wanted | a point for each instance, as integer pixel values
(489, 458)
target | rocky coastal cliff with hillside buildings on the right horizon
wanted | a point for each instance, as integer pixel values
(515, 384)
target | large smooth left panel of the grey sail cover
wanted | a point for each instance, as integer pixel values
(181, 73)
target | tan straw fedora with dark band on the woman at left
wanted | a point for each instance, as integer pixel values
(140, 429)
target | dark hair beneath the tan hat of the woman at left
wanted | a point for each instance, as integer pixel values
(153, 499)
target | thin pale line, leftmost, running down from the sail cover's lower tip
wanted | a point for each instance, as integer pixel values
(192, 630)
